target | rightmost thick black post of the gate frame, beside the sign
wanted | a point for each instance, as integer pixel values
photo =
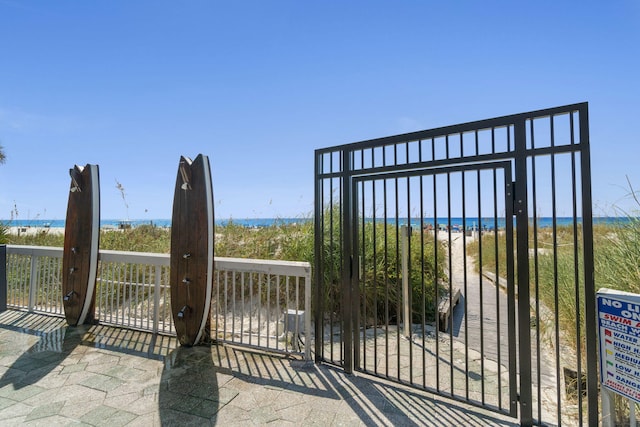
(589, 285)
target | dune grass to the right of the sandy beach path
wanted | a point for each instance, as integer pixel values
(556, 258)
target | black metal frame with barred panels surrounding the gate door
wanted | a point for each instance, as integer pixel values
(344, 164)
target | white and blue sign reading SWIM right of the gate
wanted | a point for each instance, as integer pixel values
(619, 331)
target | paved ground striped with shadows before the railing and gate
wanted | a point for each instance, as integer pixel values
(214, 384)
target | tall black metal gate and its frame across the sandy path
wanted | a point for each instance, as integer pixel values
(445, 259)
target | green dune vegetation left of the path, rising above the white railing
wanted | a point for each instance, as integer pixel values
(295, 242)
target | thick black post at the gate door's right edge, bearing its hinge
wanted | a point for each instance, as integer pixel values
(522, 239)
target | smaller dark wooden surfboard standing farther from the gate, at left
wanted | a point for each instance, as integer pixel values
(81, 241)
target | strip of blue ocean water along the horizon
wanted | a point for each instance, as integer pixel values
(454, 222)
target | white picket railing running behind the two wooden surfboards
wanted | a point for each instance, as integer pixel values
(258, 303)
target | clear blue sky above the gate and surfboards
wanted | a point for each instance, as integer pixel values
(259, 85)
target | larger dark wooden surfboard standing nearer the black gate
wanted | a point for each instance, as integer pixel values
(192, 249)
